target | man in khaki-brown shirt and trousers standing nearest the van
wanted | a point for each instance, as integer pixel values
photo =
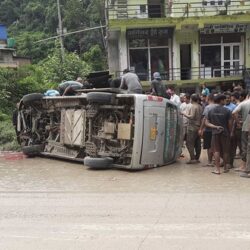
(194, 122)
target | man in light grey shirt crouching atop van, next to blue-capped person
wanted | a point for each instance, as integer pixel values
(131, 82)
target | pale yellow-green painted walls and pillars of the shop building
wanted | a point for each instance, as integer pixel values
(186, 31)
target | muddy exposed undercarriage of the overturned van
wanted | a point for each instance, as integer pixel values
(99, 125)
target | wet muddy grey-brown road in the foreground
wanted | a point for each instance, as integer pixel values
(51, 204)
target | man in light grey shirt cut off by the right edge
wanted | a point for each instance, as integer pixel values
(243, 108)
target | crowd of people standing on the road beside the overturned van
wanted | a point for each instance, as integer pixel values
(222, 120)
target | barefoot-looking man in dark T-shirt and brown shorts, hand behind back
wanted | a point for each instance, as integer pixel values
(220, 120)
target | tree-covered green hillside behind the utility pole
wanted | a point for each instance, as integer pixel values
(31, 20)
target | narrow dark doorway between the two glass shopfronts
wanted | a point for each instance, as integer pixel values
(185, 59)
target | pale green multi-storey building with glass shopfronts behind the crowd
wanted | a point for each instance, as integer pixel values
(188, 43)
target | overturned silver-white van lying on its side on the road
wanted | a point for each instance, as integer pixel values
(102, 128)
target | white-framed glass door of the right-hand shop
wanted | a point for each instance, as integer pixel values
(231, 59)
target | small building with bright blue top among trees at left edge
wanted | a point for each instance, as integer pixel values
(8, 58)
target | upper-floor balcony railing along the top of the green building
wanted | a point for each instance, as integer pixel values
(183, 9)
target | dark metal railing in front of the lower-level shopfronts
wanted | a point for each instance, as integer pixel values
(195, 73)
